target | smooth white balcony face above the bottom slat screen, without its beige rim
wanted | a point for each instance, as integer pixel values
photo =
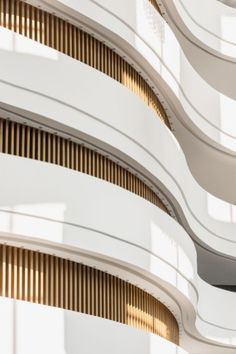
(58, 206)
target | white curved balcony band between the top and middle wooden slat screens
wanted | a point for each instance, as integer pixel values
(131, 131)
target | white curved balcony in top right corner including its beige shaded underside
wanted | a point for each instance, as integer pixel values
(199, 27)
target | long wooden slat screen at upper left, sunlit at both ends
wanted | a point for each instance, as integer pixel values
(56, 33)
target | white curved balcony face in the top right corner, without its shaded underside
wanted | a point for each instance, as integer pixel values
(214, 33)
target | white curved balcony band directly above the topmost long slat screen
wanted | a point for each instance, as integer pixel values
(141, 33)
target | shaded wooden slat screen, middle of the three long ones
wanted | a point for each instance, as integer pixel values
(25, 141)
